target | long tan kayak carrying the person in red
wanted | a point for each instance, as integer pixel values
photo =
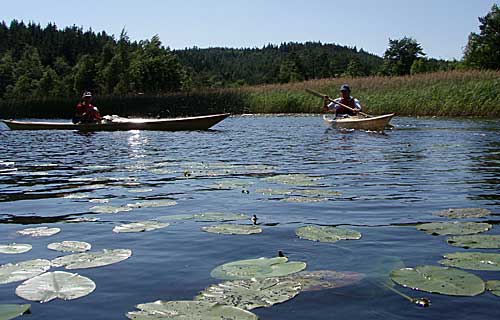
(116, 124)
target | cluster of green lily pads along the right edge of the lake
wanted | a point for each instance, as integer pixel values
(449, 280)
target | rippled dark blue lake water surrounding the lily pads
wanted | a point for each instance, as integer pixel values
(386, 182)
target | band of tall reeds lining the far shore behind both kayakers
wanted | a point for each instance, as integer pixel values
(452, 93)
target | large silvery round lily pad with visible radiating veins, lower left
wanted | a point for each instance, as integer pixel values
(57, 284)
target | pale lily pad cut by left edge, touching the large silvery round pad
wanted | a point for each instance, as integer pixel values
(13, 272)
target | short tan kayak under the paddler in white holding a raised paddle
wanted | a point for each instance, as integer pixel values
(378, 123)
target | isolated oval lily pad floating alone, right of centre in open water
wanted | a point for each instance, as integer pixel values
(326, 233)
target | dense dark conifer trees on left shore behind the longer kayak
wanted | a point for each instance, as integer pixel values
(38, 62)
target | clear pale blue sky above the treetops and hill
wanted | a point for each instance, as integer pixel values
(441, 26)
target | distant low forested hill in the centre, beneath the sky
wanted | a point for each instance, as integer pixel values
(288, 62)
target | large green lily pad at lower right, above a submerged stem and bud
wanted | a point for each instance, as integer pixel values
(441, 280)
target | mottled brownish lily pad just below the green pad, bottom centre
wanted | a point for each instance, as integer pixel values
(251, 293)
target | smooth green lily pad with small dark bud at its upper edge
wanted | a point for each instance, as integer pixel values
(257, 268)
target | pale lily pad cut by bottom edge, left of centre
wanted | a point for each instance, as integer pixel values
(188, 310)
